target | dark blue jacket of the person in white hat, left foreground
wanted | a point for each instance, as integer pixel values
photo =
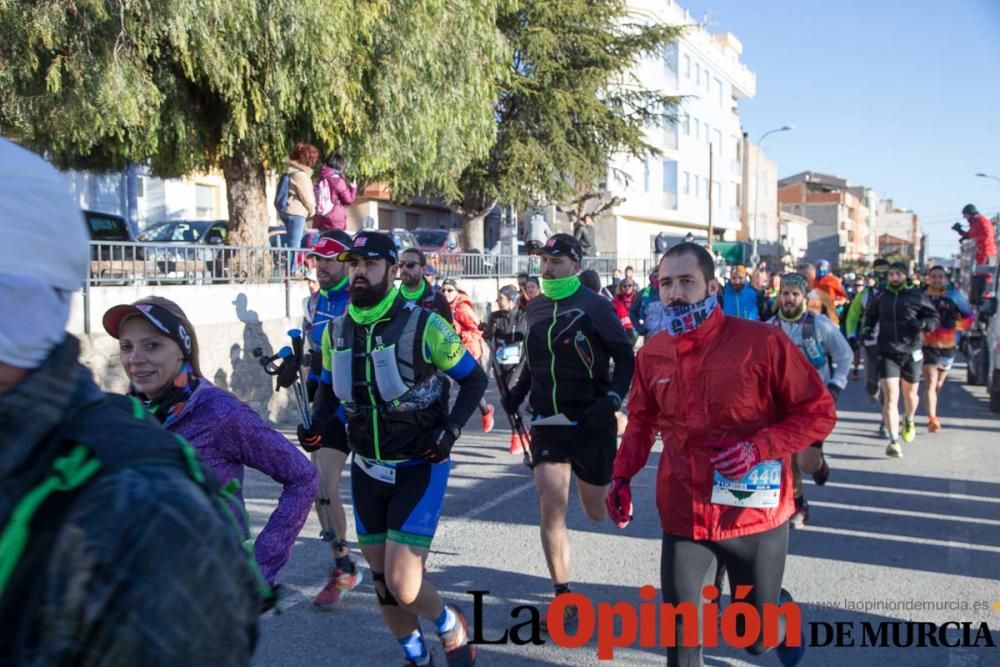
(139, 552)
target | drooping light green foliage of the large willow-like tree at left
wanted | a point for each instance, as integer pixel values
(404, 88)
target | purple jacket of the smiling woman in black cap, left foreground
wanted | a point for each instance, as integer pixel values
(229, 435)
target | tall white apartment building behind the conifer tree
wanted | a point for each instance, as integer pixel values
(671, 192)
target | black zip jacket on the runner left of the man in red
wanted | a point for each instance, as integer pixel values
(581, 334)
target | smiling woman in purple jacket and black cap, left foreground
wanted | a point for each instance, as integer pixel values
(159, 351)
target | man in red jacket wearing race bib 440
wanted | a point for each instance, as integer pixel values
(732, 400)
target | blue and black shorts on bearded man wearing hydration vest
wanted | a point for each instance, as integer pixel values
(399, 502)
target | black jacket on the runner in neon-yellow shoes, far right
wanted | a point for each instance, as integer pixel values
(902, 315)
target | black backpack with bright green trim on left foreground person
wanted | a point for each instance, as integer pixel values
(80, 453)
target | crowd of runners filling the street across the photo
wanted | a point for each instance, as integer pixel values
(394, 375)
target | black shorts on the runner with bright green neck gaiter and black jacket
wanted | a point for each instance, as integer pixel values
(591, 454)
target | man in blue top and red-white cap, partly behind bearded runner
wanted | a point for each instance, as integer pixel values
(328, 447)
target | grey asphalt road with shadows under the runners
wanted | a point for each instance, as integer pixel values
(890, 540)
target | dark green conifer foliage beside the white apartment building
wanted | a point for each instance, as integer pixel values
(569, 103)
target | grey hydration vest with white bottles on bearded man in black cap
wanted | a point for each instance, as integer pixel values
(402, 379)
